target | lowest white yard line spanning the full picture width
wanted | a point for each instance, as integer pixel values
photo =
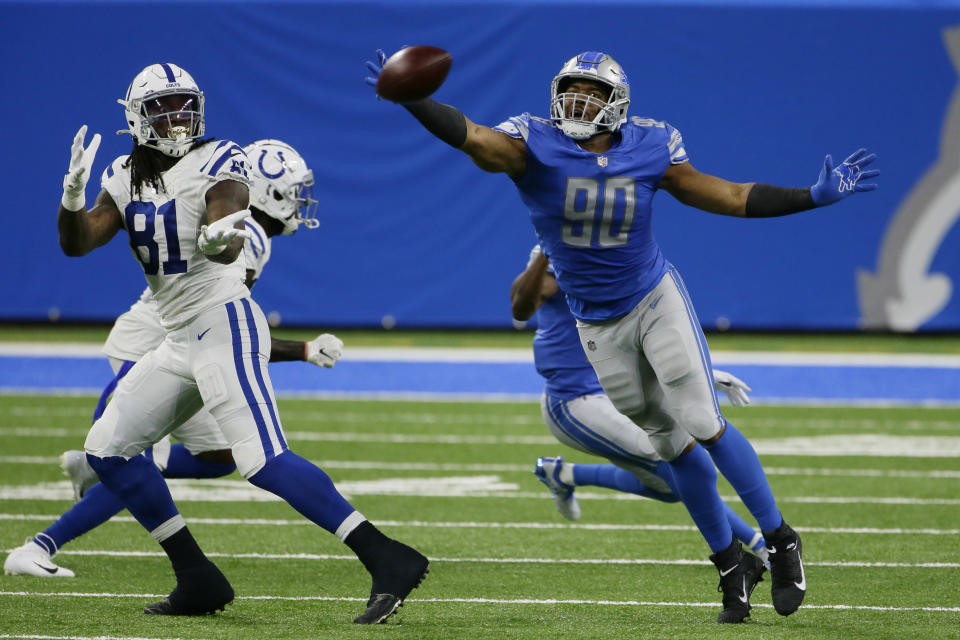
(498, 601)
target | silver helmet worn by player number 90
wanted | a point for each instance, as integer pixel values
(599, 67)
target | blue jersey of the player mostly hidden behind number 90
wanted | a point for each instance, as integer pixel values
(557, 352)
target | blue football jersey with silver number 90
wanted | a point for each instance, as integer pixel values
(592, 211)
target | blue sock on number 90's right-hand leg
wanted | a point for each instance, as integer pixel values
(739, 464)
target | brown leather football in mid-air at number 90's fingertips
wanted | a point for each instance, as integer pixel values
(413, 73)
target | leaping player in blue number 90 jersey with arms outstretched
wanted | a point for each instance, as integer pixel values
(588, 175)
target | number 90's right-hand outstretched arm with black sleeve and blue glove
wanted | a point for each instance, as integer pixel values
(755, 200)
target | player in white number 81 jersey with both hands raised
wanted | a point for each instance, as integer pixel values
(182, 201)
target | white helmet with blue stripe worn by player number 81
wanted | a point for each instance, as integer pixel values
(164, 109)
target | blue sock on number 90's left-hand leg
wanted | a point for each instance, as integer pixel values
(696, 481)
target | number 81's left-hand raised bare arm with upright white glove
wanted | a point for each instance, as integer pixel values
(81, 231)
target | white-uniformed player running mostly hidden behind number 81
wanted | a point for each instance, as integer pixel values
(281, 203)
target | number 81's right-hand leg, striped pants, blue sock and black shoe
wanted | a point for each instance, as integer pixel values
(230, 367)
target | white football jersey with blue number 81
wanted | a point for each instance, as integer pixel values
(163, 228)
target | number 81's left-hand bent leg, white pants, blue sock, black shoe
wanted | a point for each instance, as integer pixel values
(151, 400)
